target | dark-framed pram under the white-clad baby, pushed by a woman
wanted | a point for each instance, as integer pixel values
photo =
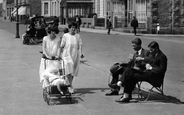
(51, 91)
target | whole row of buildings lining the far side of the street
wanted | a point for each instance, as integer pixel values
(168, 13)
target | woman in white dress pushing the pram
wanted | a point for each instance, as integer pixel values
(50, 47)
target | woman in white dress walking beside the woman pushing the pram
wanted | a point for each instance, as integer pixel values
(71, 48)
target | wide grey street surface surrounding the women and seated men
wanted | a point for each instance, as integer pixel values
(21, 92)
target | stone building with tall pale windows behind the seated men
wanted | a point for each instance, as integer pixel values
(169, 14)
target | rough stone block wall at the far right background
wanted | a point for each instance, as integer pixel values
(170, 16)
